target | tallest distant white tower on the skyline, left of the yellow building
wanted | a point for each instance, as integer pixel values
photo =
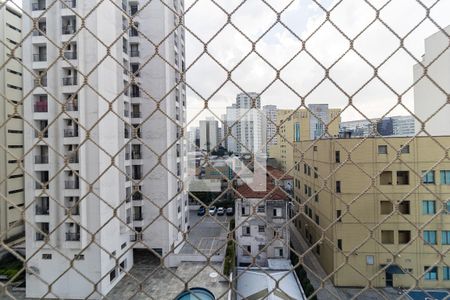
(250, 124)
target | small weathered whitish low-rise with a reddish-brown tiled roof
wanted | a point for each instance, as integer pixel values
(261, 217)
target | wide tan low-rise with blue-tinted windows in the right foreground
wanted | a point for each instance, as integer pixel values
(376, 211)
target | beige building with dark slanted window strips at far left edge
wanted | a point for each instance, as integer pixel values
(11, 131)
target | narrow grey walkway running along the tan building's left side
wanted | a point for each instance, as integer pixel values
(328, 291)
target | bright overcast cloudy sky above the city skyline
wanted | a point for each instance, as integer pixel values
(327, 47)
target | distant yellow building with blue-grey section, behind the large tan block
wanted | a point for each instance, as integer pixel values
(300, 125)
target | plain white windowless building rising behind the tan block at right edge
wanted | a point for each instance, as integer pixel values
(430, 95)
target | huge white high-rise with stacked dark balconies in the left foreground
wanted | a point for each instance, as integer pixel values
(91, 142)
